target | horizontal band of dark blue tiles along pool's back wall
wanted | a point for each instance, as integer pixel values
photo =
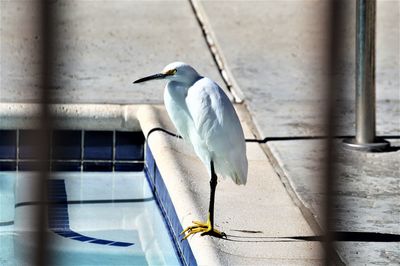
(73, 150)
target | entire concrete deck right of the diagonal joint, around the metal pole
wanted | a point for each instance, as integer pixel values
(276, 52)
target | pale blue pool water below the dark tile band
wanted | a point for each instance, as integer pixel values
(107, 218)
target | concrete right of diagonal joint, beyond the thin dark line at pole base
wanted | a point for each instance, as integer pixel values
(276, 51)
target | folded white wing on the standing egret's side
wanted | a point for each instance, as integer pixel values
(219, 135)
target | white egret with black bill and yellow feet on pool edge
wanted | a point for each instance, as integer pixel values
(204, 116)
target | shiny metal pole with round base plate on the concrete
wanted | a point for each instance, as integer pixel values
(365, 139)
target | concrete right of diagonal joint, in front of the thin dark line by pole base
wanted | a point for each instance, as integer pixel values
(367, 194)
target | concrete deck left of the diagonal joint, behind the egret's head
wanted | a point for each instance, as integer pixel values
(103, 47)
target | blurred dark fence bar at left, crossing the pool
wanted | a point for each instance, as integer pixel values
(41, 255)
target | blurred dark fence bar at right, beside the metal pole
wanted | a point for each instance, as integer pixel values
(333, 82)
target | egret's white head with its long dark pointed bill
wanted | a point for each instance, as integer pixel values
(176, 71)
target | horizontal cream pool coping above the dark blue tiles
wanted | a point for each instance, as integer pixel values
(72, 116)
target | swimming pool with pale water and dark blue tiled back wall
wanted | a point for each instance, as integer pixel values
(101, 209)
